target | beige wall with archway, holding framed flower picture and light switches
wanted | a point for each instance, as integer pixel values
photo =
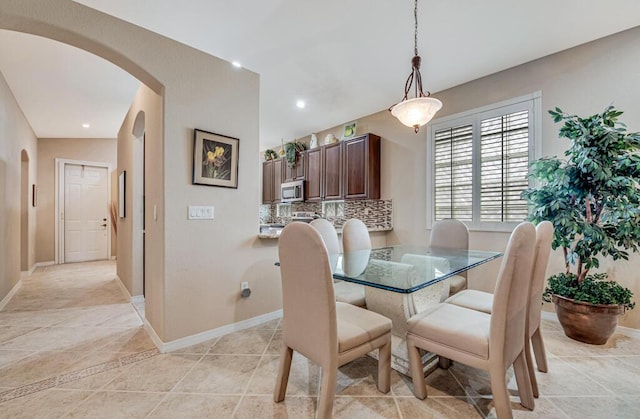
(195, 267)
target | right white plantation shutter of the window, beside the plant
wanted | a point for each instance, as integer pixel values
(504, 159)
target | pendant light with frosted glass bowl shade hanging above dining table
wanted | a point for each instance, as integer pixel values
(418, 111)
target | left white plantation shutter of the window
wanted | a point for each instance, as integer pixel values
(453, 173)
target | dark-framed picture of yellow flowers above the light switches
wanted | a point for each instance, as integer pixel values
(215, 159)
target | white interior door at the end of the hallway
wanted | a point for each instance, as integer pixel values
(86, 200)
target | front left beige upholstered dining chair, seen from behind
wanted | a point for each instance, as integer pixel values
(327, 332)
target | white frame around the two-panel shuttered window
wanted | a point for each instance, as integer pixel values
(531, 102)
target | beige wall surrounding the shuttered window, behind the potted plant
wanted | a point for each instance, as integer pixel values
(582, 80)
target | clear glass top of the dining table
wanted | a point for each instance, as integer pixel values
(405, 268)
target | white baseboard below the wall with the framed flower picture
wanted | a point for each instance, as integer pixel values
(209, 334)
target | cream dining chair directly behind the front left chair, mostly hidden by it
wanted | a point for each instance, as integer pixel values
(346, 292)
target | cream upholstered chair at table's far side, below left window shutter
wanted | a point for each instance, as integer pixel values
(451, 234)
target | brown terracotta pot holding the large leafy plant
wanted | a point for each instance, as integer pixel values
(585, 322)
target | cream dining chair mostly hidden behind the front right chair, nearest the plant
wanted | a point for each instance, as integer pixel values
(483, 301)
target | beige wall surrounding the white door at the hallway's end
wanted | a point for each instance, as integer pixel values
(50, 149)
